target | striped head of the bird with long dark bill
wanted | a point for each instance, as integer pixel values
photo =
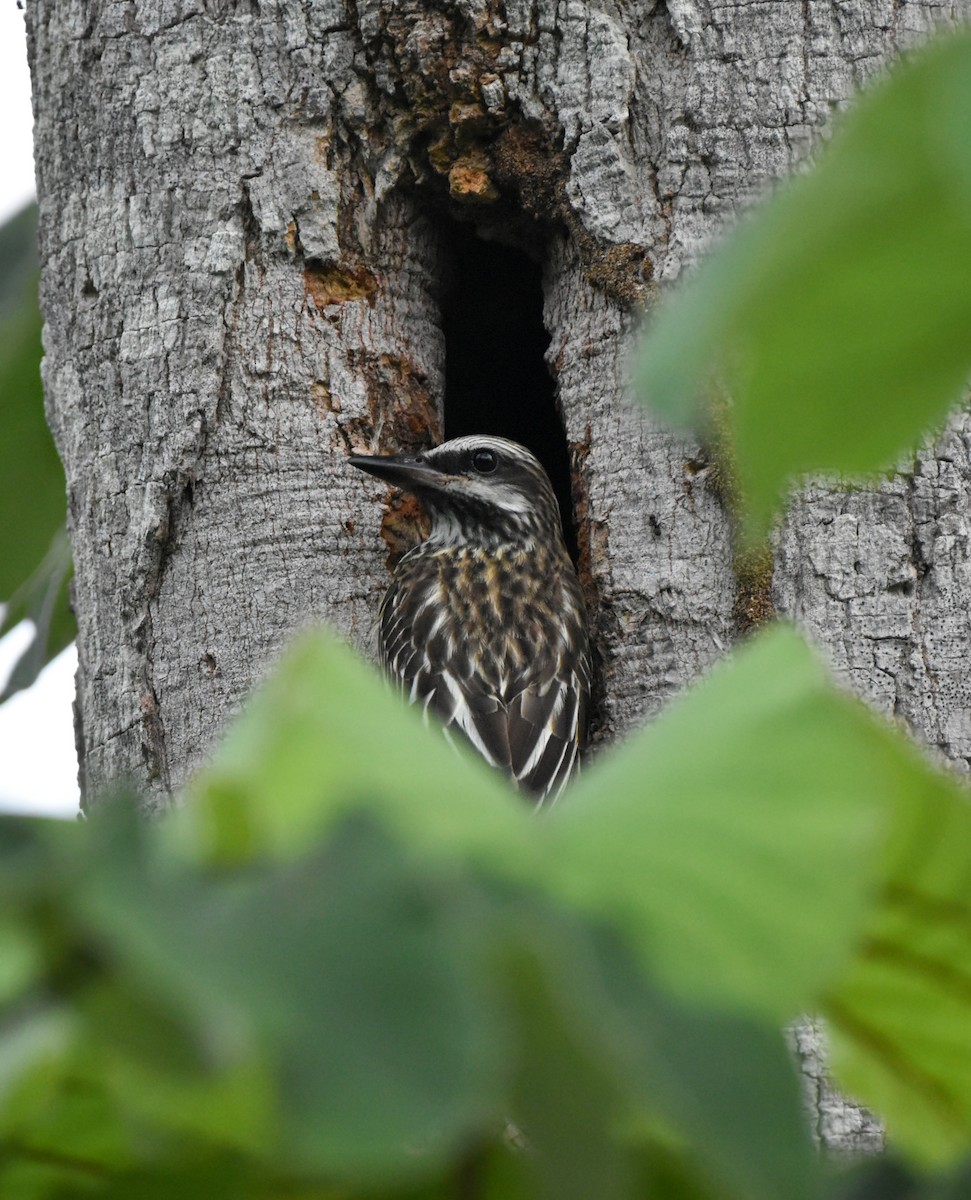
(479, 490)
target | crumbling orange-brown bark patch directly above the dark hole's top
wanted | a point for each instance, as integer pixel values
(459, 129)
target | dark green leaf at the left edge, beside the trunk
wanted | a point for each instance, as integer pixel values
(35, 557)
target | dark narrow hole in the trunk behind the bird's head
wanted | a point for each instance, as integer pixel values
(496, 376)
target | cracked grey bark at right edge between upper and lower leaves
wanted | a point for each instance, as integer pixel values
(882, 579)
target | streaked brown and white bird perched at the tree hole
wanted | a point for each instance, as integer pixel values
(484, 622)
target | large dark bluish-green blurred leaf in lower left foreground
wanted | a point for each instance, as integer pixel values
(356, 977)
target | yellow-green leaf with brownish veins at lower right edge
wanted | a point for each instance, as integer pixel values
(901, 1019)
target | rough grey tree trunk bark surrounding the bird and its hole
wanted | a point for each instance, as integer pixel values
(242, 280)
